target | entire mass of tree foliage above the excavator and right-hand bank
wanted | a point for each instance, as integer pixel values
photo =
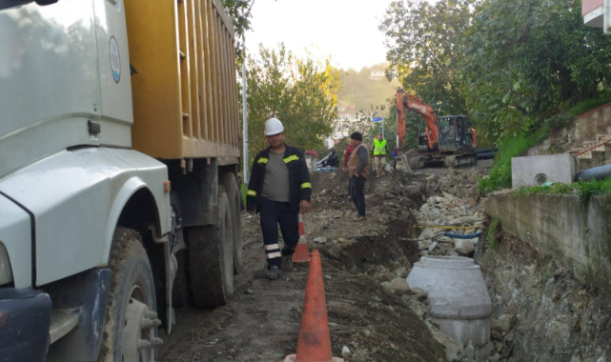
(510, 65)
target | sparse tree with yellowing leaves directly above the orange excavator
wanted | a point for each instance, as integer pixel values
(423, 41)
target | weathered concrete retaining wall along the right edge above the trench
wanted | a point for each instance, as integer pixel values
(575, 234)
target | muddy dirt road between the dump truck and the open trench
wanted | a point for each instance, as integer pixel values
(262, 321)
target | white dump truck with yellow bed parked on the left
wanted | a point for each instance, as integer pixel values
(119, 157)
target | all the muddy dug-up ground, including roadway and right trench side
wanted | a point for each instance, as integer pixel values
(540, 311)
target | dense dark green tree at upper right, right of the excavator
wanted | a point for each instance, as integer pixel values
(524, 59)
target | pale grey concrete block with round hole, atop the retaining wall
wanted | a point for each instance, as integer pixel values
(536, 170)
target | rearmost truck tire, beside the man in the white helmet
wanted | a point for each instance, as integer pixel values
(228, 180)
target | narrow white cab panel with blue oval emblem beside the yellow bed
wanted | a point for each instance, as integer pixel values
(114, 72)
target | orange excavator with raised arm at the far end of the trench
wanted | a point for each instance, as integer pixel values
(448, 140)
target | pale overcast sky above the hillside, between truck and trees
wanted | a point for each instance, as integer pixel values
(346, 30)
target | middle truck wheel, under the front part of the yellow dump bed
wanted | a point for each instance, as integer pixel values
(210, 249)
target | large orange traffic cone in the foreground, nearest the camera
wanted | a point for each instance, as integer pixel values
(314, 344)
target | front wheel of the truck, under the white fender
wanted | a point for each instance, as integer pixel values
(130, 333)
